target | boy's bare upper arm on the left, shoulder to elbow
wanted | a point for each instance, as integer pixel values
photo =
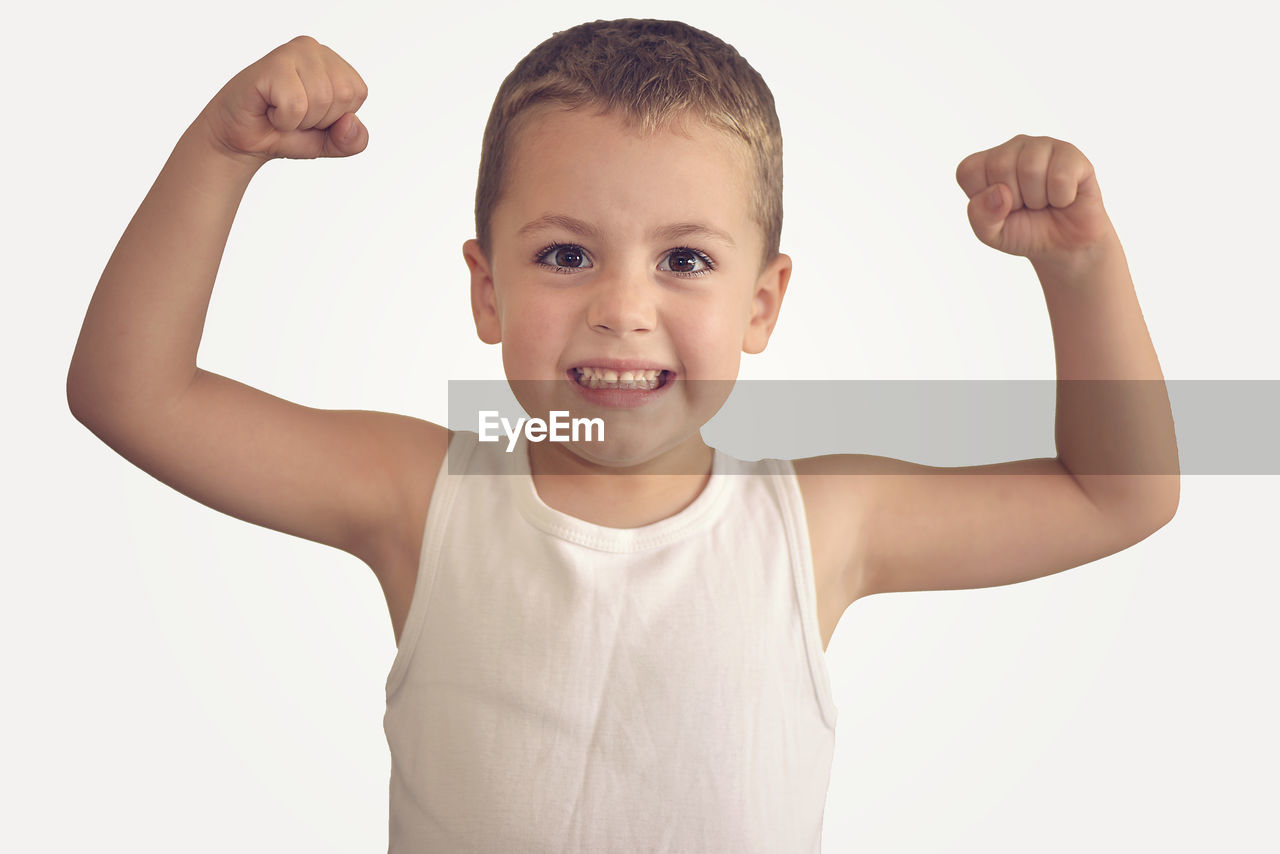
(344, 478)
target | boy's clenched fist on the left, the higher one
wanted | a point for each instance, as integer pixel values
(299, 102)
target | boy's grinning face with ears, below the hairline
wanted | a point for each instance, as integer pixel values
(610, 246)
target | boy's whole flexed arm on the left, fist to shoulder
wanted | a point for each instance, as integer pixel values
(134, 381)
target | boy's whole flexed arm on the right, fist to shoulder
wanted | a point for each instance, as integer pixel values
(1117, 477)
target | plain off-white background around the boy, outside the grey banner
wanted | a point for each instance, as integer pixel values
(181, 681)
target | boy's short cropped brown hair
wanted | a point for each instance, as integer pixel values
(652, 74)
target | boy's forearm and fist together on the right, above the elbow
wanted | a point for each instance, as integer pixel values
(1039, 198)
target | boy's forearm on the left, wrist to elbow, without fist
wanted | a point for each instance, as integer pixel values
(143, 330)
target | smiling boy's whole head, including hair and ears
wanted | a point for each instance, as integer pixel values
(628, 216)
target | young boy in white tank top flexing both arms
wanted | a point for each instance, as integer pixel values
(616, 646)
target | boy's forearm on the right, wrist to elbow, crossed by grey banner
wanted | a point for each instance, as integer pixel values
(1117, 439)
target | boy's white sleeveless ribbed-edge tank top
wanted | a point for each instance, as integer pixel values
(572, 688)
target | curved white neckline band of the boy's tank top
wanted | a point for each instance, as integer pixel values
(559, 524)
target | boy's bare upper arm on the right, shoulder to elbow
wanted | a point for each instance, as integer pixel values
(926, 528)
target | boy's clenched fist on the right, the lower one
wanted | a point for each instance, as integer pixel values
(1035, 197)
